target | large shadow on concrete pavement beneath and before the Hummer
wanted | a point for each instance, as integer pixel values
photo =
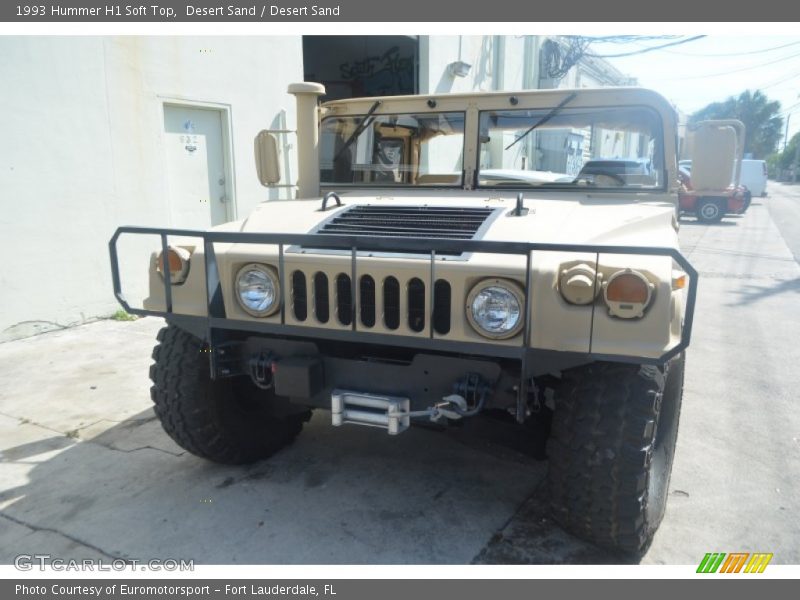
(352, 496)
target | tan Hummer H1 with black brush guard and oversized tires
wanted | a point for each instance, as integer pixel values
(447, 256)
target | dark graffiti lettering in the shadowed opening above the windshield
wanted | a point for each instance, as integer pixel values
(381, 75)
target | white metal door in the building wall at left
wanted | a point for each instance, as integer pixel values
(196, 174)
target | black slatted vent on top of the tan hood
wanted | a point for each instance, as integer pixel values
(408, 221)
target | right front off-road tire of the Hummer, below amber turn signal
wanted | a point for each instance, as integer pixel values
(611, 449)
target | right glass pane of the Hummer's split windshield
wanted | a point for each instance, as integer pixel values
(618, 147)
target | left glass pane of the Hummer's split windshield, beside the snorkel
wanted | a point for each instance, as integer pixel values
(403, 149)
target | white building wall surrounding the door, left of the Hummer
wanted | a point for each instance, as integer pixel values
(82, 153)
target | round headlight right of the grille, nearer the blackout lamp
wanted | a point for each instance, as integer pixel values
(495, 308)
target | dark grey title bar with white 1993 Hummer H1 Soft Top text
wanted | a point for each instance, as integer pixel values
(420, 11)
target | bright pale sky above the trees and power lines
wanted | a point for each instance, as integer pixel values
(711, 69)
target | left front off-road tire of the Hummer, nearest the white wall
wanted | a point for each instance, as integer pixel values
(228, 421)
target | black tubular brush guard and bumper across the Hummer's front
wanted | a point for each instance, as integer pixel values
(215, 325)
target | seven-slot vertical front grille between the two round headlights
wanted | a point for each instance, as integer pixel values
(401, 305)
